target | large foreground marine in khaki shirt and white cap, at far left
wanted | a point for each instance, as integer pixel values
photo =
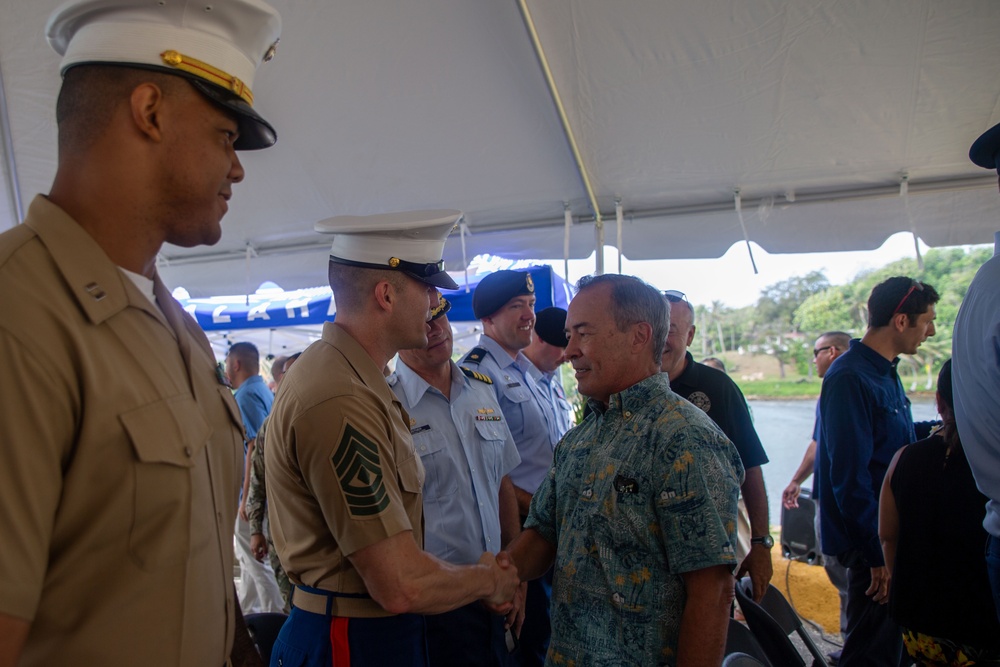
(121, 444)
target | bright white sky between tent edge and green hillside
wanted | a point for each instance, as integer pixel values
(730, 278)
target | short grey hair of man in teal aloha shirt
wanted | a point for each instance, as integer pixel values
(633, 301)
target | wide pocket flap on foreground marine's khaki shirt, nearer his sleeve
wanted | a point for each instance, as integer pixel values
(171, 431)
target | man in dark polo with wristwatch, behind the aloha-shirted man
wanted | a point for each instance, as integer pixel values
(715, 393)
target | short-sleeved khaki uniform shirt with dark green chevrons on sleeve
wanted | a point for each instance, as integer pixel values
(342, 473)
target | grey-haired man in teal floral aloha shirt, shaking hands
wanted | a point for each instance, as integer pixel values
(639, 509)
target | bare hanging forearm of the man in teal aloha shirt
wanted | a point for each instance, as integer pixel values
(705, 621)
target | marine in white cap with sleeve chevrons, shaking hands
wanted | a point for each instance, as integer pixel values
(343, 479)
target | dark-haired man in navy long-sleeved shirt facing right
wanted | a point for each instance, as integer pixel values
(864, 418)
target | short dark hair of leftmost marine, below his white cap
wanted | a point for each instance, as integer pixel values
(90, 94)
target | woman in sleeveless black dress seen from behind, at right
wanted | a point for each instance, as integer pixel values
(930, 524)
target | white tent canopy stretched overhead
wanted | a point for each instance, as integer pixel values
(815, 111)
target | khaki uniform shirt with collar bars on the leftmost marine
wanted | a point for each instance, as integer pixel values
(118, 464)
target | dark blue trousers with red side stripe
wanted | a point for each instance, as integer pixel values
(317, 640)
